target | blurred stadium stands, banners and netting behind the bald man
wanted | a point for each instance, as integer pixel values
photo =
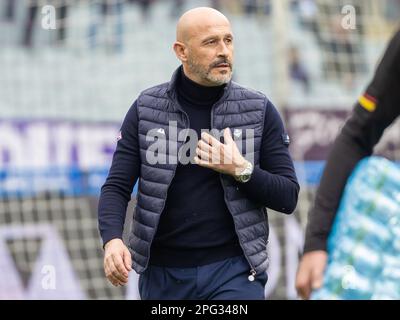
(65, 91)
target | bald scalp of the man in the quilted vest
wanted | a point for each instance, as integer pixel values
(192, 21)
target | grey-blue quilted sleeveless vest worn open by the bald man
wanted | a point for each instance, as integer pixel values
(238, 108)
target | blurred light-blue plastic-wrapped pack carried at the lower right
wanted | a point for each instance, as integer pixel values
(364, 244)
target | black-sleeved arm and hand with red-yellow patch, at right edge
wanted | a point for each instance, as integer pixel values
(374, 112)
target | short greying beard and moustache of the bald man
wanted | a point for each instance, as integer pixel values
(205, 72)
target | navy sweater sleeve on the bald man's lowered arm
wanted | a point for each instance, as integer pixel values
(124, 172)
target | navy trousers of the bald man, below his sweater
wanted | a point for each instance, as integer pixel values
(222, 280)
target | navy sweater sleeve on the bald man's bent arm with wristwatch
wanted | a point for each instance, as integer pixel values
(273, 183)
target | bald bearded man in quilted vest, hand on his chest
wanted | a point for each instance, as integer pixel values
(210, 157)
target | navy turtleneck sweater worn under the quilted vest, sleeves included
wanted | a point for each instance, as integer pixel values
(196, 227)
